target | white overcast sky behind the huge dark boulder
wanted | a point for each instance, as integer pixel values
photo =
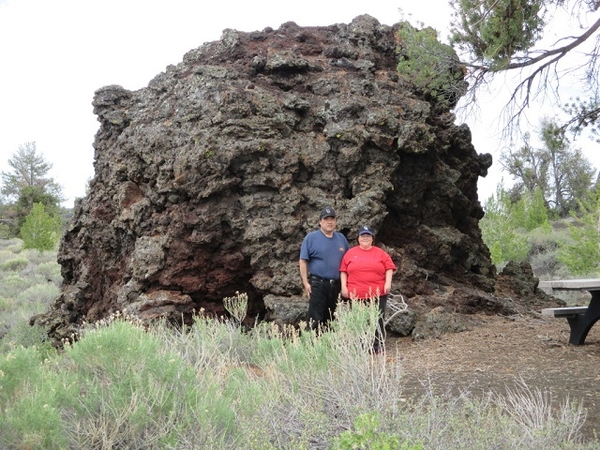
(55, 53)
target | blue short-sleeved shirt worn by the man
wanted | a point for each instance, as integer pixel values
(324, 254)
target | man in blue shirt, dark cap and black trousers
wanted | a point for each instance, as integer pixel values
(320, 257)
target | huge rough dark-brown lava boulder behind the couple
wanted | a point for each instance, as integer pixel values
(207, 180)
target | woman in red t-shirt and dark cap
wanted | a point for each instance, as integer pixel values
(366, 273)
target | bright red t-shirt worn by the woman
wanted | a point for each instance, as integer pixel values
(366, 271)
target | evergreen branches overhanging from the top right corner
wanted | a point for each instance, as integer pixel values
(496, 36)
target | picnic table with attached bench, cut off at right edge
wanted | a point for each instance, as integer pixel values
(580, 318)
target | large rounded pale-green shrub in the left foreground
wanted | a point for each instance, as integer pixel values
(137, 391)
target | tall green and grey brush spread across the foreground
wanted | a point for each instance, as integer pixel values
(213, 385)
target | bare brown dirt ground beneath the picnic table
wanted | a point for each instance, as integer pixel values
(499, 352)
